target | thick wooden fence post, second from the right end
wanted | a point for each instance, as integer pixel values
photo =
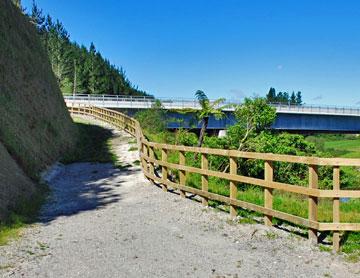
(313, 201)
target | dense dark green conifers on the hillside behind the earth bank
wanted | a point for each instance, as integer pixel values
(78, 69)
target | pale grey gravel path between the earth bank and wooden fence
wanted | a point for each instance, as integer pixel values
(106, 222)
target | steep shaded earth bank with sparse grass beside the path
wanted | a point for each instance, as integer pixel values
(34, 124)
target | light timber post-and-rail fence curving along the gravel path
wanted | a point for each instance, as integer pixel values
(312, 193)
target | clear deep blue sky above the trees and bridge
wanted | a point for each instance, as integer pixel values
(227, 48)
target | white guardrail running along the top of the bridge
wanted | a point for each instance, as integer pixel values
(143, 102)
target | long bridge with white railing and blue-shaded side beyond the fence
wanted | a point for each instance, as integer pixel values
(297, 118)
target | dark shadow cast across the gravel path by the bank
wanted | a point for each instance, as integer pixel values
(82, 187)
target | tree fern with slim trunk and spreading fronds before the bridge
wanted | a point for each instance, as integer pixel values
(207, 109)
